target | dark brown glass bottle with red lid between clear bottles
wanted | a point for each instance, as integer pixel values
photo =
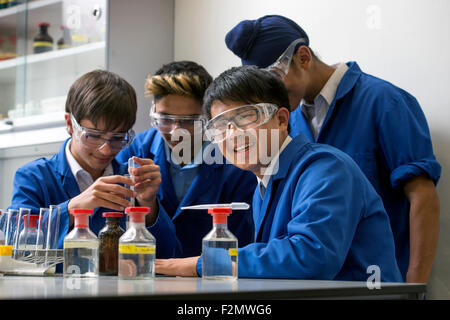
(109, 244)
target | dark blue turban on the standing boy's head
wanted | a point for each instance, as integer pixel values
(260, 42)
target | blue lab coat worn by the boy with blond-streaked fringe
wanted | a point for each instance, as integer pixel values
(214, 183)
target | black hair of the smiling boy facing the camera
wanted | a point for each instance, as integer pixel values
(247, 84)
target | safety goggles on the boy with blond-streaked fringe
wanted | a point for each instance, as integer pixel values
(166, 123)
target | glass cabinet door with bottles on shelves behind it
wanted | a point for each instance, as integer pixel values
(45, 45)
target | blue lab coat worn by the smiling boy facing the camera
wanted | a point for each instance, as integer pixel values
(320, 219)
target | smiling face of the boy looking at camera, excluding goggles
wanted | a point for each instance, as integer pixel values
(249, 149)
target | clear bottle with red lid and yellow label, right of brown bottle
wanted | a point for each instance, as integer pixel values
(137, 247)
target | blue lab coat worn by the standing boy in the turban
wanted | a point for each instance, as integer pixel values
(384, 130)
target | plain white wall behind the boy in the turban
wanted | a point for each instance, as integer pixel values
(406, 42)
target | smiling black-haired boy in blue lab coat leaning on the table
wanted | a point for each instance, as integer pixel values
(316, 215)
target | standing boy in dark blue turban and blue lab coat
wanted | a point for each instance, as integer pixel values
(379, 125)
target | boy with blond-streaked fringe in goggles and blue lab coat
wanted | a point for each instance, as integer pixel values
(175, 143)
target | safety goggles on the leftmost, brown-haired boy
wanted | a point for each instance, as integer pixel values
(95, 139)
